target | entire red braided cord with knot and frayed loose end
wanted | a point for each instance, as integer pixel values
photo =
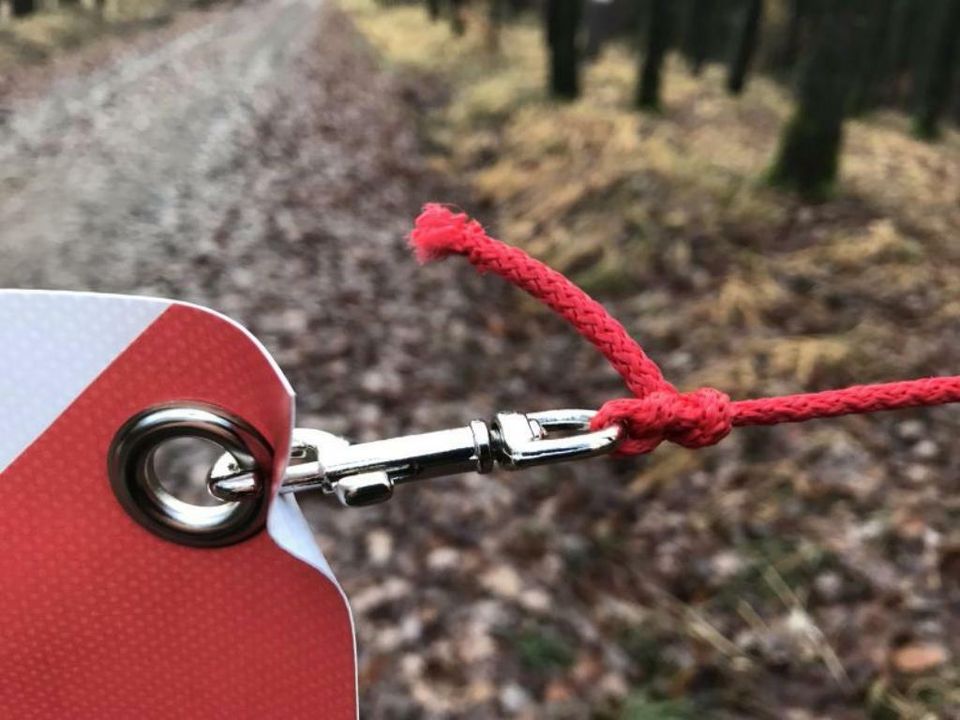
(659, 411)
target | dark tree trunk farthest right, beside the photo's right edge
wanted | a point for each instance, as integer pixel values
(941, 66)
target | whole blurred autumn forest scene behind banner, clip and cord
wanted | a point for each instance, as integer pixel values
(765, 192)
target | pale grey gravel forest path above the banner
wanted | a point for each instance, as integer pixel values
(141, 150)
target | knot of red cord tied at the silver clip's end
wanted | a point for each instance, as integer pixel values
(694, 420)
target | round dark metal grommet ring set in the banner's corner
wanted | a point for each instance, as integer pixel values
(143, 494)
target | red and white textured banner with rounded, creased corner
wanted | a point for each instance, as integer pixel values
(100, 618)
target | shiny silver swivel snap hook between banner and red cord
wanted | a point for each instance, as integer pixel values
(367, 473)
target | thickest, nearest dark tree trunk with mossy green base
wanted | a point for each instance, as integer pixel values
(808, 156)
